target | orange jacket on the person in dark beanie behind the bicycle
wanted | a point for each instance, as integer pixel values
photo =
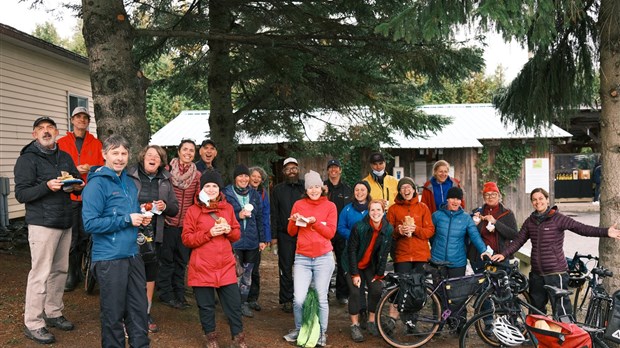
(415, 248)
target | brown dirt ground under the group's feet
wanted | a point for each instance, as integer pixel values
(178, 328)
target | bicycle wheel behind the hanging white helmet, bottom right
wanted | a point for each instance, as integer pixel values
(477, 331)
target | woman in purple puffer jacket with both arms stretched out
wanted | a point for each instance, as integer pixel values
(545, 228)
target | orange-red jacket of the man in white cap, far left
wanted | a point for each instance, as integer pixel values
(90, 154)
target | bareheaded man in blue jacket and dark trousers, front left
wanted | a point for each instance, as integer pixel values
(111, 213)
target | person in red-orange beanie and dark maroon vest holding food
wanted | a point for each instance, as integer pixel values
(497, 226)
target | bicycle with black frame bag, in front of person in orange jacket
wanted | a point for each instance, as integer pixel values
(442, 306)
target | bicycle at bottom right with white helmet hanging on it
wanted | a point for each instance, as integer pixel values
(509, 321)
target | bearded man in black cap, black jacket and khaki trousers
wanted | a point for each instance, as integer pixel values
(49, 217)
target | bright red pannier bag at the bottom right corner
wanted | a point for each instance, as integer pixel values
(569, 336)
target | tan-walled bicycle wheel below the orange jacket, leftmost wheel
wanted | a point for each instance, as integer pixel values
(404, 329)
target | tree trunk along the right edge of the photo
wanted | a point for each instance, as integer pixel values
(609, 20)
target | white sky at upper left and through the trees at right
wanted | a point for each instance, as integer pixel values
(19, 16)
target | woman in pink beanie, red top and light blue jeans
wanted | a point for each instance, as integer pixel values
(313, 221)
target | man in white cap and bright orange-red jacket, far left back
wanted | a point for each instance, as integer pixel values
(85, 150)
